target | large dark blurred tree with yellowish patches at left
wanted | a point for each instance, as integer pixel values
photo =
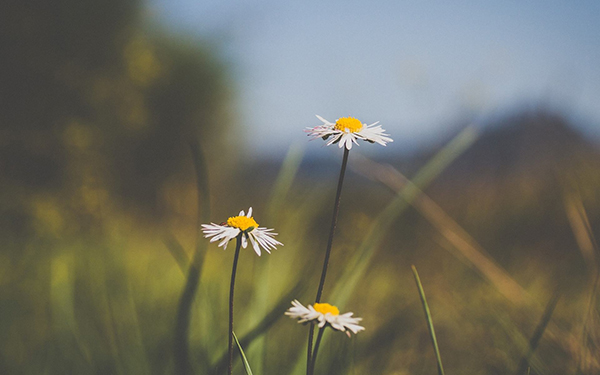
(97, 109)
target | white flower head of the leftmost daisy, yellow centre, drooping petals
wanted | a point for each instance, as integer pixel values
(245, 224)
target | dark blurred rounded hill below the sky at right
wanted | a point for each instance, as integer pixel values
(529, 149)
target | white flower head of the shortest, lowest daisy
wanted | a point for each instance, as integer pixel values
(324, 313)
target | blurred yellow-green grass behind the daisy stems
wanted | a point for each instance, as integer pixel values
(106, 302)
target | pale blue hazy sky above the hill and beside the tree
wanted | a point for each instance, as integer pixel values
(418, 66)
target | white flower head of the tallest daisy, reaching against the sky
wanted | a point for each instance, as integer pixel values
(347, 130)
